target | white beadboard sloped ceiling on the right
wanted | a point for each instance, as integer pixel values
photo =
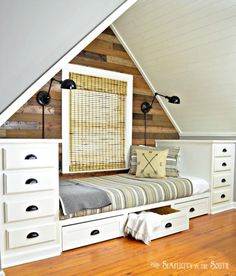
(188, 48)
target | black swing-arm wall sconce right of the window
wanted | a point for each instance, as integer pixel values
(146, 107)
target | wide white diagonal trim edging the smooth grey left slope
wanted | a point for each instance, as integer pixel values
(28, 93)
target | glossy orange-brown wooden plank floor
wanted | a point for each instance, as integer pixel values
(208, 248)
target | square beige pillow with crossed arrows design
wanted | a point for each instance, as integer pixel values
(151, 163)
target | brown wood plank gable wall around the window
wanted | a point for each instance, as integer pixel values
(104, 52)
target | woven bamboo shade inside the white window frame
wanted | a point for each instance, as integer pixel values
(97, 123)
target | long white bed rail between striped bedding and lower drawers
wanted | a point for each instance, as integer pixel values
(131, 210)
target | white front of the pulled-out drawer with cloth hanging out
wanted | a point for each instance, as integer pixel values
(171, 224)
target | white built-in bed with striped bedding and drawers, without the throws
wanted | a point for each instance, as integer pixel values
(128, 194)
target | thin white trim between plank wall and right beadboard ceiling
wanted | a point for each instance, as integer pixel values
(145, 78)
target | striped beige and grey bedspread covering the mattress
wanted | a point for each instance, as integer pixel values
(127, 191)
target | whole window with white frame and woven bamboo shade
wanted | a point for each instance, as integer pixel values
(98, 128)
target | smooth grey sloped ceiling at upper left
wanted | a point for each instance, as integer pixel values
(36, 34)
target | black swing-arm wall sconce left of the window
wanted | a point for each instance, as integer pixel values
(43, 97)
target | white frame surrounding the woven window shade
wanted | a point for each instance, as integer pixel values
(72, 68)
